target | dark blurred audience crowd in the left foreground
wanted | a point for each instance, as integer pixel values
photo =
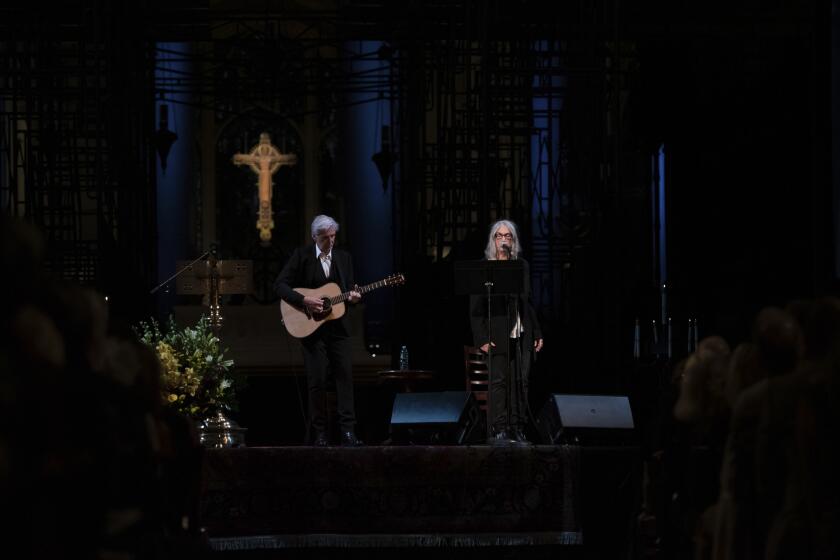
(91, 465)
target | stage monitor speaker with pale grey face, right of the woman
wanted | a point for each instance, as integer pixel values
(603, 419)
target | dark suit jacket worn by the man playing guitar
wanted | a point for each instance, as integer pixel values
(304, 270)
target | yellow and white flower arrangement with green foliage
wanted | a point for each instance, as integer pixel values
(196, 378)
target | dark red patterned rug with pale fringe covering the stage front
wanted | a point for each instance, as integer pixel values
(399, 497)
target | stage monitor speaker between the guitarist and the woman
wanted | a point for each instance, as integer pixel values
(443, 418)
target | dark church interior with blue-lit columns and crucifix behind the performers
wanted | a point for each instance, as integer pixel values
(668, 163)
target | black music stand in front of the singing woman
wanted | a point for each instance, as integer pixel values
(491, 278)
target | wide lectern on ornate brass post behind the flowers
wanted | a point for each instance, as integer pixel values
(213, 278)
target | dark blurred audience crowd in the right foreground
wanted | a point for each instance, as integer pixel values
(767, 414)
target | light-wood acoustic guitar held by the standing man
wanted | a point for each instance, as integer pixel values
(300, 322)
